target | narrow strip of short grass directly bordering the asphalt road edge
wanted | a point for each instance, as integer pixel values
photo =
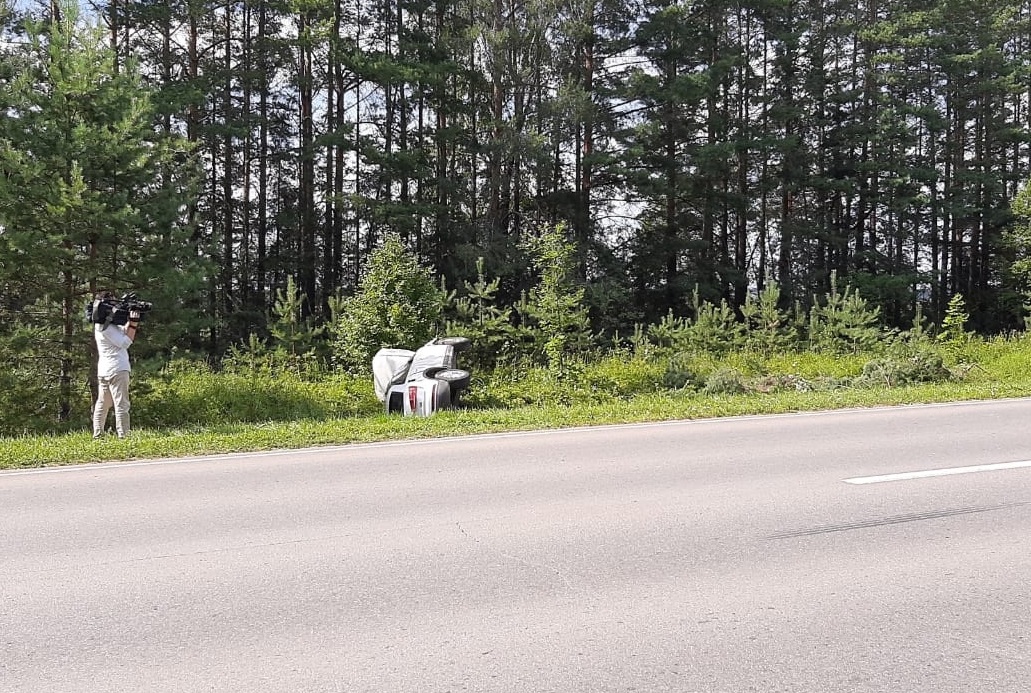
(80, 448)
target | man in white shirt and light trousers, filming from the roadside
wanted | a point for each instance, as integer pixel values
(113, 371)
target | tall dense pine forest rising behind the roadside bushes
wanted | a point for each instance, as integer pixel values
(218, 157)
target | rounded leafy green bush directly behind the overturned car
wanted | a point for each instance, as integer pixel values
(397, 306)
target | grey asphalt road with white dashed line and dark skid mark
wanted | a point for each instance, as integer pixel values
(748, 554)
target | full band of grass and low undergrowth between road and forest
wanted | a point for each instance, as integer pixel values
(187, 409)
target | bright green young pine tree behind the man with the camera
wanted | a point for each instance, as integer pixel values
(91, 197)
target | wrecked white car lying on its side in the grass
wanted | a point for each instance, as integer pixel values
(420, 383)
